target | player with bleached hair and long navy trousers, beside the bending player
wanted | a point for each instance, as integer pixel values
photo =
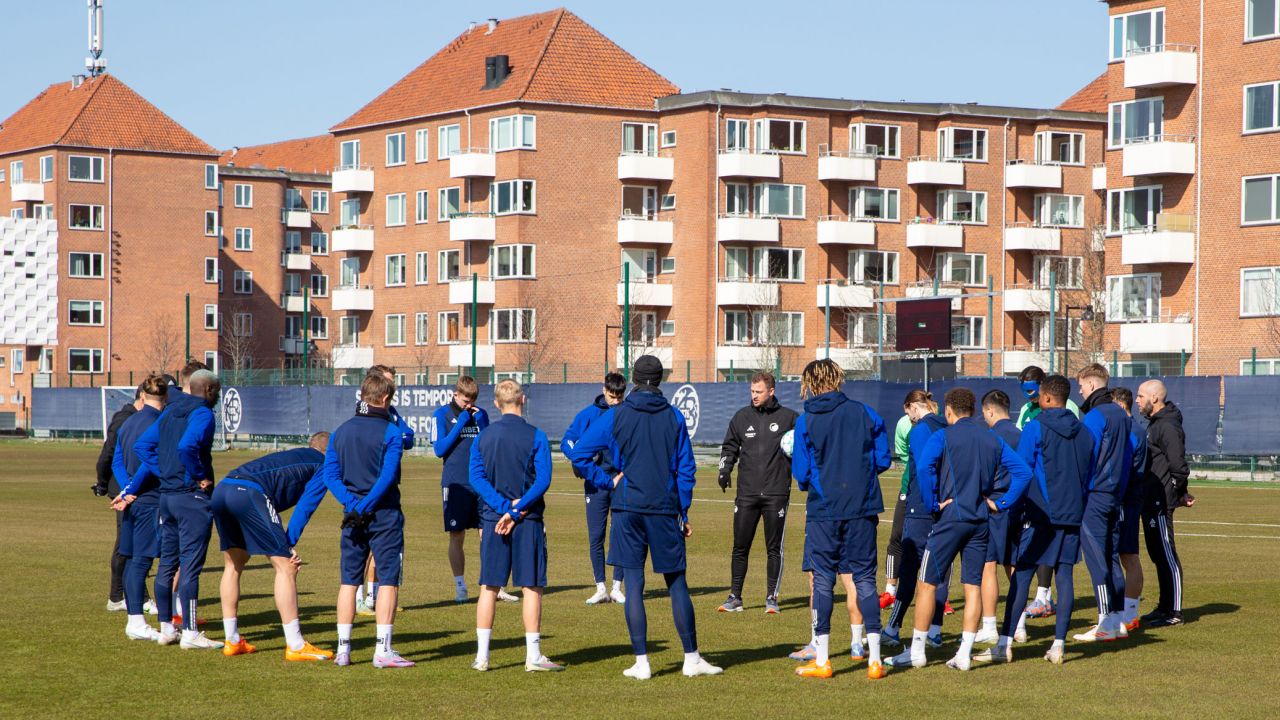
(177, 449)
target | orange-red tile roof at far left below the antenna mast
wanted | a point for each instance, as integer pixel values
(100, 113)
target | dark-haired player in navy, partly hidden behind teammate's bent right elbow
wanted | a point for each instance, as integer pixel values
(1005, 528)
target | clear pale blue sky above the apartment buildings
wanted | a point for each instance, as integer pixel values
(246, 72)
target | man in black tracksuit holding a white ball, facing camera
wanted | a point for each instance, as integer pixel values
(764, 486)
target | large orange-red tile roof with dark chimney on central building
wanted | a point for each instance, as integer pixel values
(555, 58)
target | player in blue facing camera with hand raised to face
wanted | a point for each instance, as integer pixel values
(456, 426)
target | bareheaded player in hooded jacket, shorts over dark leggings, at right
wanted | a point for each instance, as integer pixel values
(1060, 454)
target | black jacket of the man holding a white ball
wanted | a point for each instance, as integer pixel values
(755, 439)
